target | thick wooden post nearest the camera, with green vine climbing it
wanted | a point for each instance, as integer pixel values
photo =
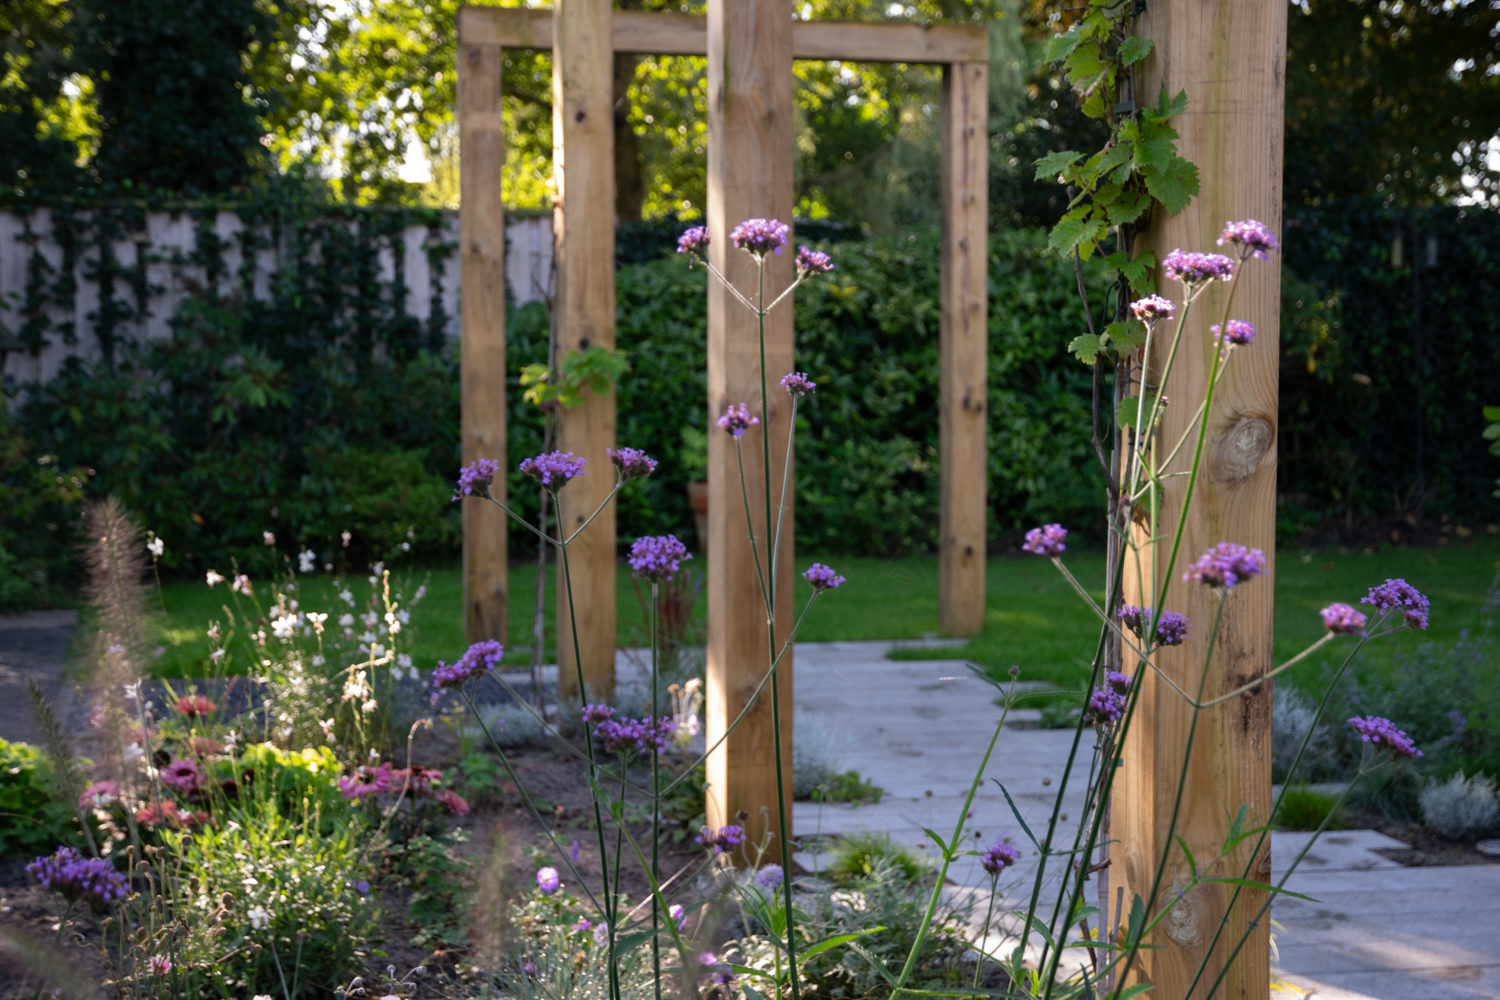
(1231, 59)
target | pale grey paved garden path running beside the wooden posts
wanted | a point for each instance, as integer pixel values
(919, 731)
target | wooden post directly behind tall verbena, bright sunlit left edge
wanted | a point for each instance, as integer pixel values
(749, 176)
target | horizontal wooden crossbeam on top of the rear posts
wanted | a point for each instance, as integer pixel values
(688, 35)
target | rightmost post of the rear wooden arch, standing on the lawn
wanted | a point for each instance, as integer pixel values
(964, 412)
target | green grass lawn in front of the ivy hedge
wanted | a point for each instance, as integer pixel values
(1033, 618)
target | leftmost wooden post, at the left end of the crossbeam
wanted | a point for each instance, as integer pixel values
(482, 341)
